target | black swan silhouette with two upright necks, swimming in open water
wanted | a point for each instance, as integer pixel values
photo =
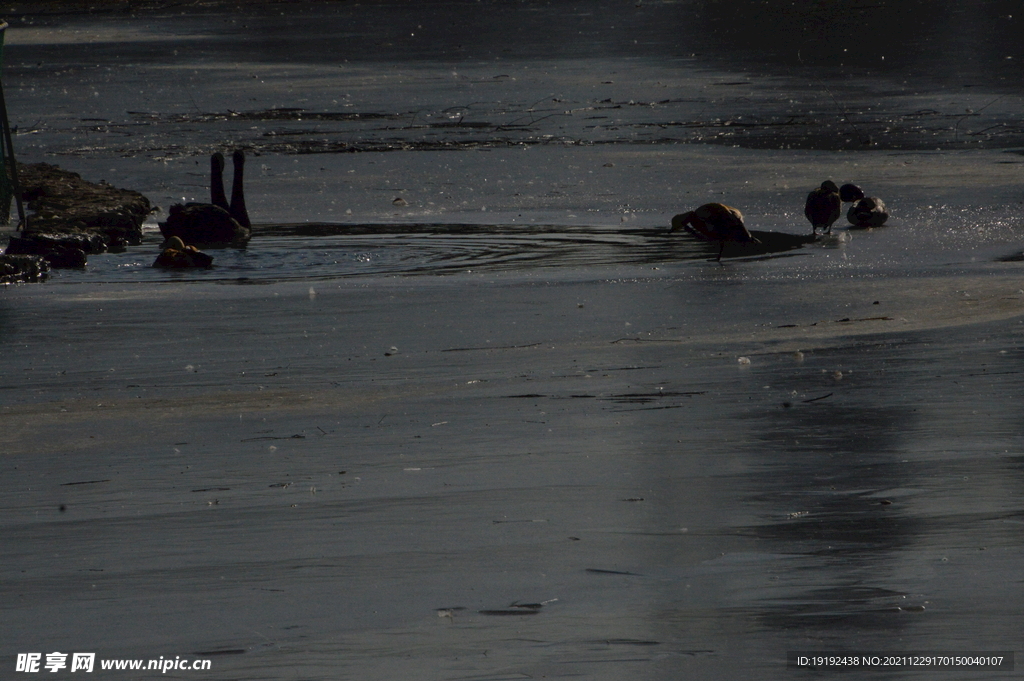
(216, 224)
